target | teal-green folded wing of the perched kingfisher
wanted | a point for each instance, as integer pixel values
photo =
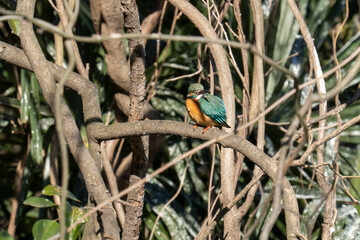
(213, 107)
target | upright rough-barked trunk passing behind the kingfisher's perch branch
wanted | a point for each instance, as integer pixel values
(139, 145)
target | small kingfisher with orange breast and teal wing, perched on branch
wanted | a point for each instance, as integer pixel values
(204, 108)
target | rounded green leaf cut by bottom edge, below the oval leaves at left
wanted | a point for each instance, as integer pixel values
(44, 229)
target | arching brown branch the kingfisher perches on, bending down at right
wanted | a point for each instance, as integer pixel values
(254, 154)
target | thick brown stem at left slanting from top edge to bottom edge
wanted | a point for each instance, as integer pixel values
(39, 65)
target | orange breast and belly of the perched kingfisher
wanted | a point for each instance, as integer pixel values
(193, 108)
